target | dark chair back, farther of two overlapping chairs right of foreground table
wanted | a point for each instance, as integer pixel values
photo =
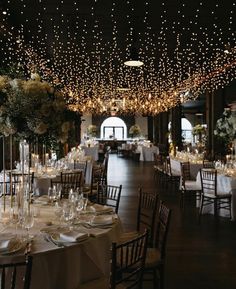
(146, 215)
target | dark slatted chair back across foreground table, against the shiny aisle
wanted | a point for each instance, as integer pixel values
(110, 195)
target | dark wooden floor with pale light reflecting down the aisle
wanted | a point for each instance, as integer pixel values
(199, 256)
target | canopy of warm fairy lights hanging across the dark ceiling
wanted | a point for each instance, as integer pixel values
(81, 49)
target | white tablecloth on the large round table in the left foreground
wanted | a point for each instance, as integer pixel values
(67, 267)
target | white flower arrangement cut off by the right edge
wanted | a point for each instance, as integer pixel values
(226, 126)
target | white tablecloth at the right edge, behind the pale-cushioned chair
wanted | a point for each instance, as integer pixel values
(225, 184)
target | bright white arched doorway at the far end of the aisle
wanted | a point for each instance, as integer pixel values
(113, 127)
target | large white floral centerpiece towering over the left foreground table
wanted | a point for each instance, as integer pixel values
(33, 108)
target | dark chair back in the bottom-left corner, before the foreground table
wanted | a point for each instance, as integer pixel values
(16, 275)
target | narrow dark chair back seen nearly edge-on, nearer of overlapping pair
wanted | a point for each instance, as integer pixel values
(163, 224)
